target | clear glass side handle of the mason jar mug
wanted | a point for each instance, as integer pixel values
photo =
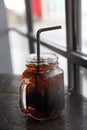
(23, 86)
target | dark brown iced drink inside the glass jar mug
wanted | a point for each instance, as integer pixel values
(44, 93)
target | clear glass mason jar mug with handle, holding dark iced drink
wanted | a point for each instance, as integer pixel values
(42, 87)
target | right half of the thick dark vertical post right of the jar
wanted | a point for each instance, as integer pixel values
(77, 37)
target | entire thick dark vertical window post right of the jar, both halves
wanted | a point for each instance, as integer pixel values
(72, 26)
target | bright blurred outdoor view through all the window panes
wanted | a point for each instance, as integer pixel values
(45, 13)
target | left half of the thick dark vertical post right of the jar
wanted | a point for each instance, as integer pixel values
(69, 30)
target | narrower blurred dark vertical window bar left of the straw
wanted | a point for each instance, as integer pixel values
(28, 6)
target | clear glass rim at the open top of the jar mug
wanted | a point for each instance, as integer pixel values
(45, 58)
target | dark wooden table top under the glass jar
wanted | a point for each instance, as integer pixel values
(74, 116)
